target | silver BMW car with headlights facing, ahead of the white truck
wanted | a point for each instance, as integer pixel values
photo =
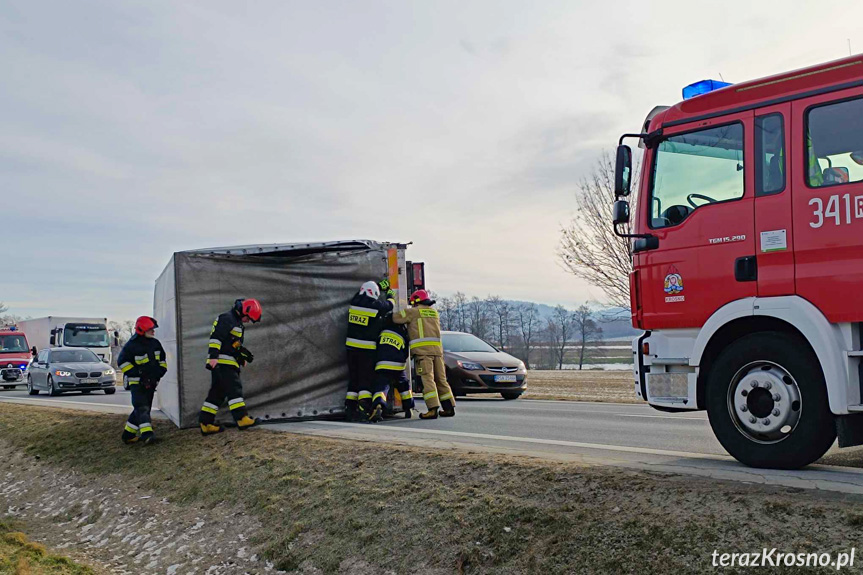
(57, 370)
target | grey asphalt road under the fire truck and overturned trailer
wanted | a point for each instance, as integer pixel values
(623, 435)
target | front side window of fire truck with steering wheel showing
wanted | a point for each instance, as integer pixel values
(696, 169)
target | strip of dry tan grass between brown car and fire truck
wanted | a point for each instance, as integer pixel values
(585, 385)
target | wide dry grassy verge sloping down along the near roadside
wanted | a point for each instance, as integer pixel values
(326, 505)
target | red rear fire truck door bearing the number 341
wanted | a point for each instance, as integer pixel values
(827, 192)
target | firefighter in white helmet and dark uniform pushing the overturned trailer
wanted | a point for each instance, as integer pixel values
(364, 325)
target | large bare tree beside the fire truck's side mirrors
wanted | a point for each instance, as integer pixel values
(588, 247)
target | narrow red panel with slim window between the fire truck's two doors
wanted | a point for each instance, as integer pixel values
(774, 171)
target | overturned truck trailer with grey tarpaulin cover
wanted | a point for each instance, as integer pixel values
(299, 369)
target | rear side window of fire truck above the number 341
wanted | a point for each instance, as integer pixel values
(835, 144)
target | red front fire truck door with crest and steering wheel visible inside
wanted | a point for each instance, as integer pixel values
(699, 205)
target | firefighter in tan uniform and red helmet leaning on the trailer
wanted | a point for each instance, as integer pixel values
(424, 330)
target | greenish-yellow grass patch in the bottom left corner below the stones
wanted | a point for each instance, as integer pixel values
(20, 556)
